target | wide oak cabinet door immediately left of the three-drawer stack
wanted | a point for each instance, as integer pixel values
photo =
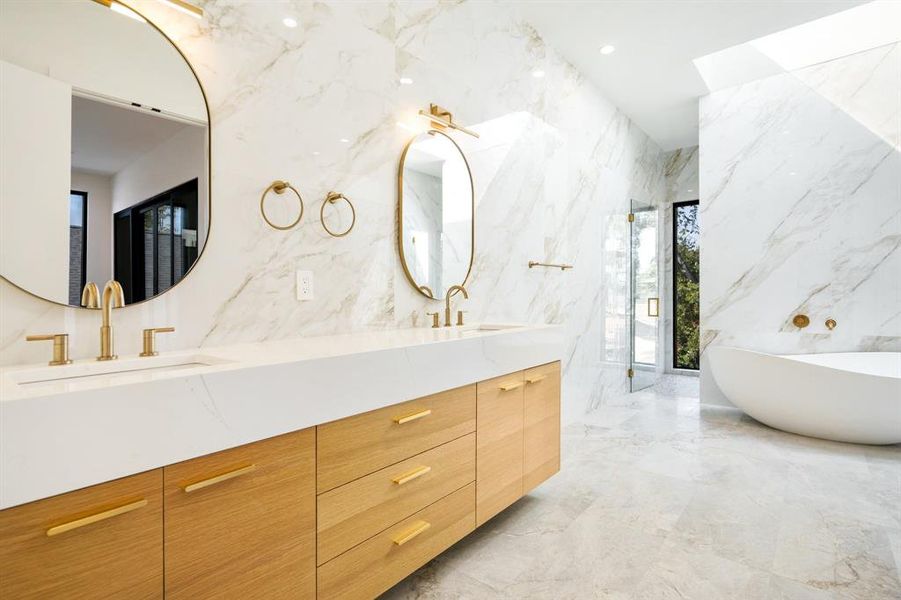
(241, 523)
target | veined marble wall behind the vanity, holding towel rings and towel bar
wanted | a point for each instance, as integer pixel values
(556, 167)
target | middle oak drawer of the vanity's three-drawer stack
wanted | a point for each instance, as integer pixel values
(356, 511)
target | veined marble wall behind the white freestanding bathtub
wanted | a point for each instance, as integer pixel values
(801, 210)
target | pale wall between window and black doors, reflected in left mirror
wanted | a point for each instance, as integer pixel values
(100, 224)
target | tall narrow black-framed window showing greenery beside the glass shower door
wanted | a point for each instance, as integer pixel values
(686, 288)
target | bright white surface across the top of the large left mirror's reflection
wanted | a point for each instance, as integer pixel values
(93, 48)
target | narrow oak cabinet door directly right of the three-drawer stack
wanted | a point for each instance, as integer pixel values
(499, 439)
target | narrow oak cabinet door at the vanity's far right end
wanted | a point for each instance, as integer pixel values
(541, 435)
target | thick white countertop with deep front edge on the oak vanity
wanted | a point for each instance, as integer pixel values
(61, 435)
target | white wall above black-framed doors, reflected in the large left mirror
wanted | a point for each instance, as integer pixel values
(175, 161)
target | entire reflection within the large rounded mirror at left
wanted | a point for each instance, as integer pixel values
(105, 145)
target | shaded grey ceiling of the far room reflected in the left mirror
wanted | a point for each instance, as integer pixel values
(106, 138)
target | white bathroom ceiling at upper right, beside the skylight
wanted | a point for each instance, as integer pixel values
(651, 76)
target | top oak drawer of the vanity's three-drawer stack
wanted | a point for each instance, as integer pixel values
(358, 445)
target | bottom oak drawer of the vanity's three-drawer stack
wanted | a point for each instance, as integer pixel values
(377, 564)
